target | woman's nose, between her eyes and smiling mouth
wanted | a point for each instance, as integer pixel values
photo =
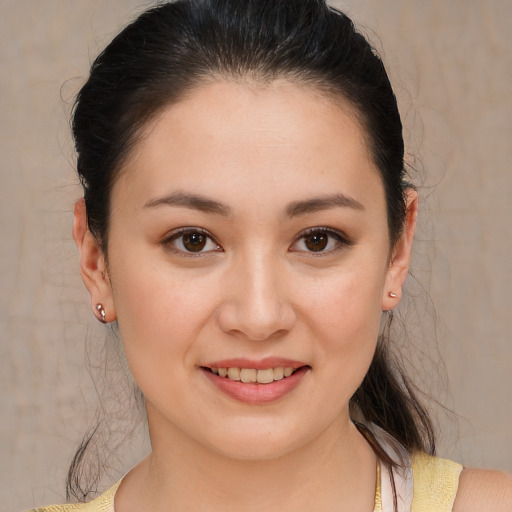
(257, 303)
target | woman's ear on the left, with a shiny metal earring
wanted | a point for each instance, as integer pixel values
(92, 264)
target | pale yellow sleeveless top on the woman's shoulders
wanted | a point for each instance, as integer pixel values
(435, 486)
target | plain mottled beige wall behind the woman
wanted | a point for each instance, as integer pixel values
(450, 63)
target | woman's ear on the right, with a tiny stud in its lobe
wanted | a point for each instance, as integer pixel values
(401, 255)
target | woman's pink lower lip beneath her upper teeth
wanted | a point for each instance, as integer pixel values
(255, 393)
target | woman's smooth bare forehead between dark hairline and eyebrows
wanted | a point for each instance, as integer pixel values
(225, 137)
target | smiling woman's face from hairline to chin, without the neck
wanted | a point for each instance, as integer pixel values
(248, 231)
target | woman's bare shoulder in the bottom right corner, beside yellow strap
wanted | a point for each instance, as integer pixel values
(483, 490)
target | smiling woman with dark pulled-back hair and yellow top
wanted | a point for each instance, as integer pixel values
(247, 223)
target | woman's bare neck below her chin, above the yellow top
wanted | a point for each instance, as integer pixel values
(334, 472)
